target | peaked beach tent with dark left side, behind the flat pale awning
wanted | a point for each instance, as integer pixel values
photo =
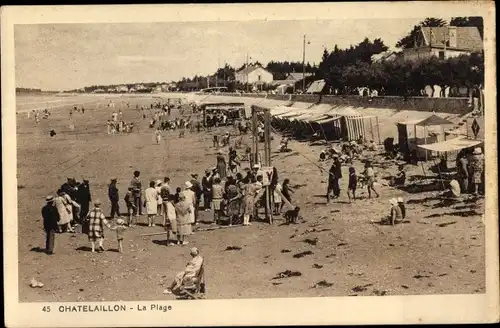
(422, 131)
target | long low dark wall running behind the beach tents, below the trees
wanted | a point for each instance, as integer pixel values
(453, 105)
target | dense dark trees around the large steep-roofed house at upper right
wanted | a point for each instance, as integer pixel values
(344, 70)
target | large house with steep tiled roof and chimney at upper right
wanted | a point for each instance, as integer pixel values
(444, 42)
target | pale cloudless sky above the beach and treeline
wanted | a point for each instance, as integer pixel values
(70, 56)
